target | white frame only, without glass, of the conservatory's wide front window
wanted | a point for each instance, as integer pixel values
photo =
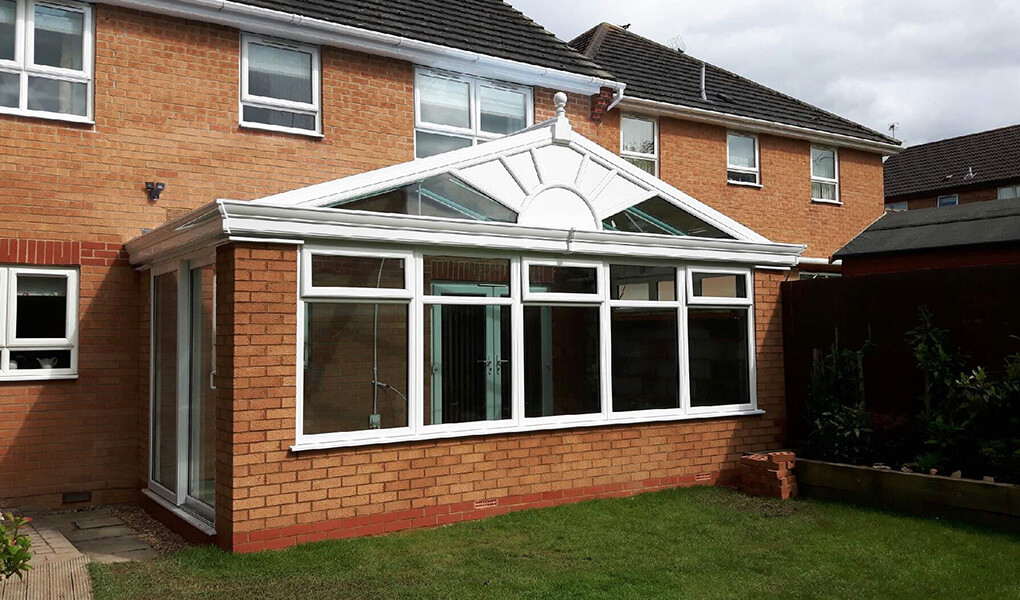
(419, 301)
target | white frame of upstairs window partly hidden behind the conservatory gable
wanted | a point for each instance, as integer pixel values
(473, 133)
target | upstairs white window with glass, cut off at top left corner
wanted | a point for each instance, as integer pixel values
(46, 60)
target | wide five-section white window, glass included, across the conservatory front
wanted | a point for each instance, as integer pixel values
(409, 345)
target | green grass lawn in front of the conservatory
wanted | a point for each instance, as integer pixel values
(694, 543)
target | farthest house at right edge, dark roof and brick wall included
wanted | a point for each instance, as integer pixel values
(976, 168)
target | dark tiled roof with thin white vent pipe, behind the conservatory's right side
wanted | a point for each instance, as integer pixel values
(654, 72)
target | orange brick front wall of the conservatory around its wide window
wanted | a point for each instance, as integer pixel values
(269, 496)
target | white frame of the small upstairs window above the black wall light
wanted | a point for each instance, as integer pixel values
(248, 99)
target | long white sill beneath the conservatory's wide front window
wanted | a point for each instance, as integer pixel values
(538, 427)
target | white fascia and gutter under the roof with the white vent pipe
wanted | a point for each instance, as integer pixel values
(748, 124)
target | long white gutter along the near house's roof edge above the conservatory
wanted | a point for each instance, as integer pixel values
(314, 31)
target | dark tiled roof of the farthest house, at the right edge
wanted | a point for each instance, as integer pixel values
(992, 157)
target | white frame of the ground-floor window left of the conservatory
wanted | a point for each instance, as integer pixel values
(9, 319)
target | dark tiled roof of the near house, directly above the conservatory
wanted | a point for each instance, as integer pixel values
(487, 27)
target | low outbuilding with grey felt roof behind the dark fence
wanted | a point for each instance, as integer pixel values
(974, 235)
